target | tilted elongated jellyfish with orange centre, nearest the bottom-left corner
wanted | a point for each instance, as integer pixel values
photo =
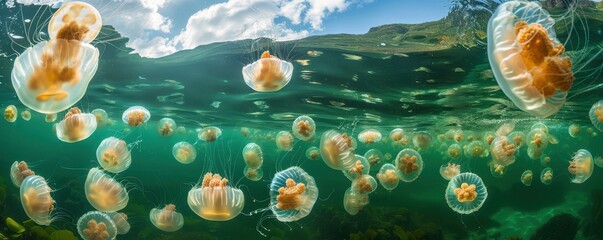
(36, 200)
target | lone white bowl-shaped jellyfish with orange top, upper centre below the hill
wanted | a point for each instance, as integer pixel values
(268, 74)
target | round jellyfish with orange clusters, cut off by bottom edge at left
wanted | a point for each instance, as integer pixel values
(95, 225)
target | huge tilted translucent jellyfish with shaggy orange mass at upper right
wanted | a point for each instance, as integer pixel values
(527, 60)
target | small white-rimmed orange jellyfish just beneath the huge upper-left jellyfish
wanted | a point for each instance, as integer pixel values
(76, 126)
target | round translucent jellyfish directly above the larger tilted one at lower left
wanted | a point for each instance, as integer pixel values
(113, 155)
